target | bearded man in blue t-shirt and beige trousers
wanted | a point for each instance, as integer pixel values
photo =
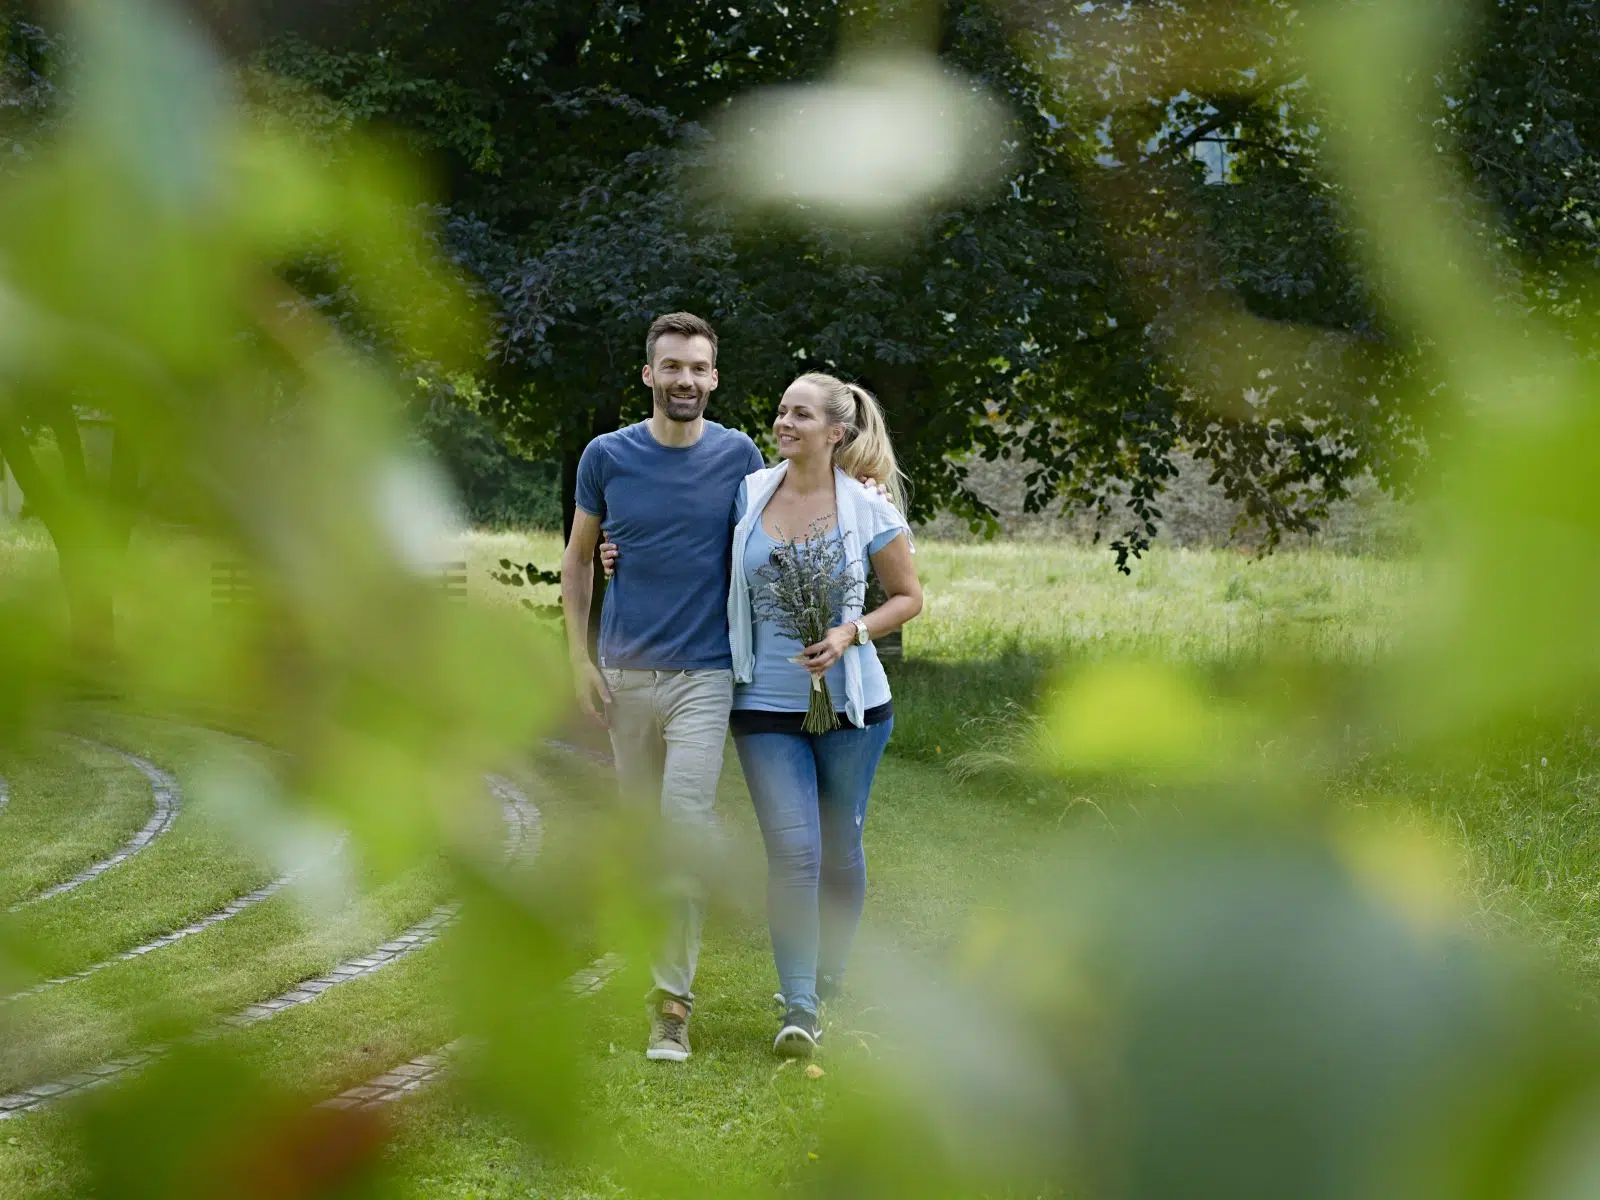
(665, 490)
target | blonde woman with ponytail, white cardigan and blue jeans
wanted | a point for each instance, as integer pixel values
(812, 791)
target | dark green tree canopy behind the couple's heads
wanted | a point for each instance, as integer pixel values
(1167, 263)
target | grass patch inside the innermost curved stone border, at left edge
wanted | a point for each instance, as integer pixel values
(71, 807)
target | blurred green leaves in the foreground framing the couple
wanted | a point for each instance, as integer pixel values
(1242, 1001)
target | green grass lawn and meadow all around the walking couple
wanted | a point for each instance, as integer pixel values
(1002, 618)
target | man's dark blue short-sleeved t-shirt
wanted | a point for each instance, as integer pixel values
(670, 510)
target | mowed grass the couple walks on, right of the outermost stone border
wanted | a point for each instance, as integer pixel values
(734, 1119)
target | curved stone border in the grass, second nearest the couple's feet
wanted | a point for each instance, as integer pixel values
(522, 820)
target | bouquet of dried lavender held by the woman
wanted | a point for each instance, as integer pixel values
(804, 591)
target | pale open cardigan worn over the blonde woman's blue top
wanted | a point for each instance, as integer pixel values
(863, 516)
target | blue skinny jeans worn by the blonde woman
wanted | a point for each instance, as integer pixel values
(810, 796)
